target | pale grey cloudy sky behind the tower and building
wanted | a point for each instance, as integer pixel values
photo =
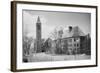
(51, 20)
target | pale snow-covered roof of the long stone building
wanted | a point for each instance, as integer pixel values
(76, 31)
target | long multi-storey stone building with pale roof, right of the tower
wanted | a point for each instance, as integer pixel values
(72, 41)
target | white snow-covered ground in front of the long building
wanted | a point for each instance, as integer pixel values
(40, 57)
